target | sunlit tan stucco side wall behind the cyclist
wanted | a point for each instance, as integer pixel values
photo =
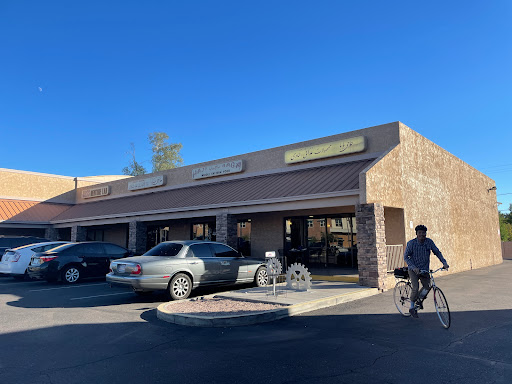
(442, 192)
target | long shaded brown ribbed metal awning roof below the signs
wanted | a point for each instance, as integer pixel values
(334, 178)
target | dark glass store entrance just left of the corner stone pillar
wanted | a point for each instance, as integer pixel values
(322, 242)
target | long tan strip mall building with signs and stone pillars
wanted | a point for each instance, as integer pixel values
(350, 200)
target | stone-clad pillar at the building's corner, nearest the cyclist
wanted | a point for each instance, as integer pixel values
(371, 245)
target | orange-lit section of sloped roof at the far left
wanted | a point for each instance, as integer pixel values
(29, 211)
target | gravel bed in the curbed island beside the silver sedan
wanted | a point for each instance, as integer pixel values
(219, 307)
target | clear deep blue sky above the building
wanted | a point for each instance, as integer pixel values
(81, 80)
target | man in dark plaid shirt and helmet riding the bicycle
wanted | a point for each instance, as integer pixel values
(417, 257)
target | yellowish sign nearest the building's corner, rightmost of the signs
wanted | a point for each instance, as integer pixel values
(333, 148)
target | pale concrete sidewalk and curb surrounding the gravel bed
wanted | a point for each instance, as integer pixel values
(322, 294)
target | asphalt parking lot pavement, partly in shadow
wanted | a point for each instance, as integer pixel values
(55, 334)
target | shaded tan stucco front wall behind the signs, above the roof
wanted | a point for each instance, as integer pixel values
(379, 139)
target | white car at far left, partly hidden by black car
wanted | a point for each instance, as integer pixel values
(16, 260)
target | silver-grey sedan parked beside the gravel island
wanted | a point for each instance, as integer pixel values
(180, 266)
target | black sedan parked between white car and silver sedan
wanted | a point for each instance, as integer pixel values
(72, 262)
